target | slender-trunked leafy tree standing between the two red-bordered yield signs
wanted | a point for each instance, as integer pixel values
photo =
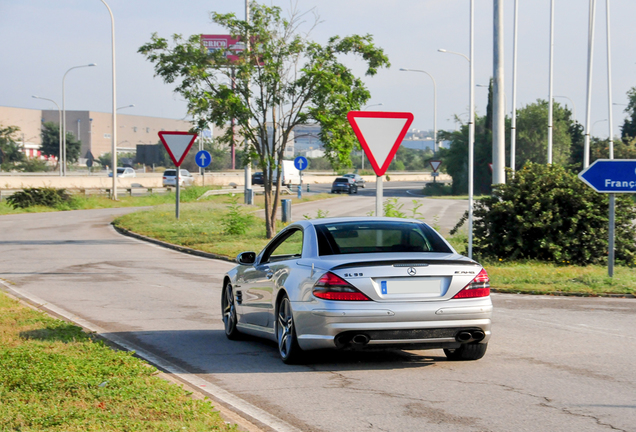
(280, 80)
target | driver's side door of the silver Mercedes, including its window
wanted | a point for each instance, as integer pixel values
(261, 283)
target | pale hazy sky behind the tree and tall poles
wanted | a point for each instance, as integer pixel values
(42, 39)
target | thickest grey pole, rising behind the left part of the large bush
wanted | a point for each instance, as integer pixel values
(499, 110)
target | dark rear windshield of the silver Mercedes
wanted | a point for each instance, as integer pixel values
(377, 236)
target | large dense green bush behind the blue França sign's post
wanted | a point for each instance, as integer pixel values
(546, 213)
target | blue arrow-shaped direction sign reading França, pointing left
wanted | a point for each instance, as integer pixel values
(611, 175)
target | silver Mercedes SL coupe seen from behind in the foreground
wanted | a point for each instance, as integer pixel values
(357, 283)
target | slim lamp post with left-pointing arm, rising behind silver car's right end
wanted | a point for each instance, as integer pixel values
(471, 125)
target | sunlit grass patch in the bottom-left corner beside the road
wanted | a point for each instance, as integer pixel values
(55, 377)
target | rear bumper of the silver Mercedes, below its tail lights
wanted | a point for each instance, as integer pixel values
(421, 325)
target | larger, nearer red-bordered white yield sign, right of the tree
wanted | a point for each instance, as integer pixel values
(380, 134)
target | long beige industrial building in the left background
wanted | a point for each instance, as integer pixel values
(94, 129)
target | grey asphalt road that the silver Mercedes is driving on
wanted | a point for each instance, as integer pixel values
(554, 363)
